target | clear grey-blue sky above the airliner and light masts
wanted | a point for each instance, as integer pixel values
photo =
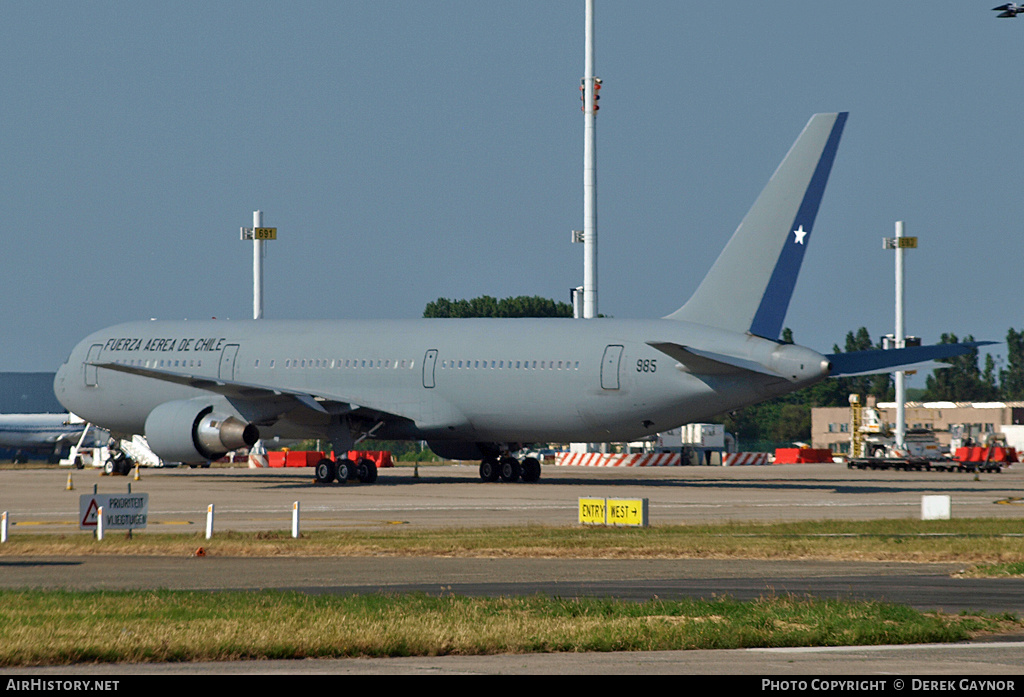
(410, 151)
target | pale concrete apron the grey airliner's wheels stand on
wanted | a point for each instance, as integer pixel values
(261, 500)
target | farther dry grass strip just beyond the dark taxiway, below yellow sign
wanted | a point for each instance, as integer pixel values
(963, 541)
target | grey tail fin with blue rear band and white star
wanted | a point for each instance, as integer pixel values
(750, 286)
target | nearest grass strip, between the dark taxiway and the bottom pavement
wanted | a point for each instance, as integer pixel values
(65, 628)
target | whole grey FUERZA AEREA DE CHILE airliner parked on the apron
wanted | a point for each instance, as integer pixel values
(482, 389)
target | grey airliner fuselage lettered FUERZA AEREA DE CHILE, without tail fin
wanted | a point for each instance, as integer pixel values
(509, 381)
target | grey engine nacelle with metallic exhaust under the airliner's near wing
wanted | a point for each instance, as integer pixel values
(192, 432)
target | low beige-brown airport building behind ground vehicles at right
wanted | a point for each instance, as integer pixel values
(831, 425)
